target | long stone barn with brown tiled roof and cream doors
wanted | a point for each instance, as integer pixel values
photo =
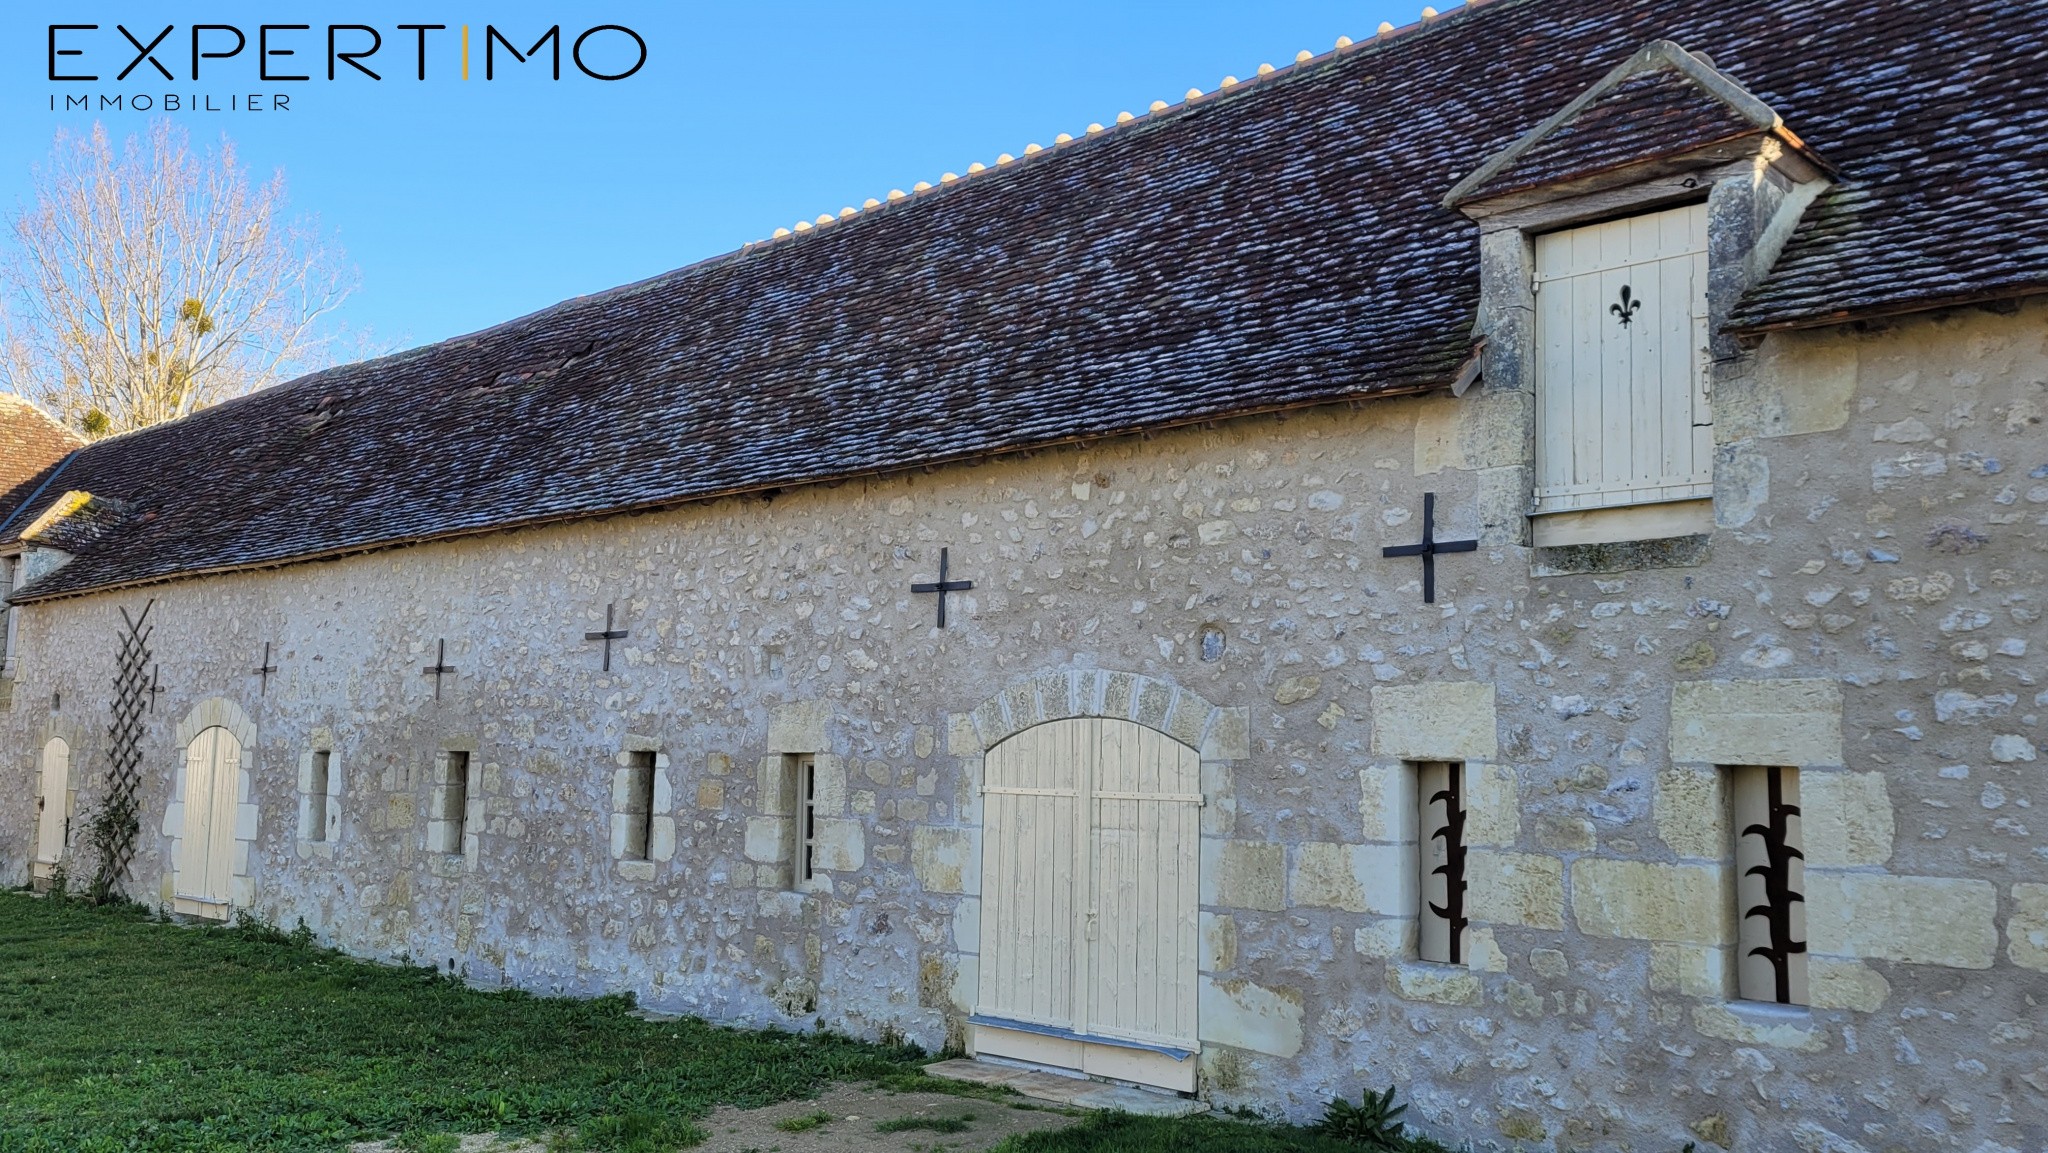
(1502, 558)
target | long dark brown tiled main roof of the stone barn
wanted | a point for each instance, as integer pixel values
(1277, 245)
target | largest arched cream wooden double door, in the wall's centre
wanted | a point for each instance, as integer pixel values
(1091, 902)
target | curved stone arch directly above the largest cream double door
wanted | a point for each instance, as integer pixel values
(1218, 734)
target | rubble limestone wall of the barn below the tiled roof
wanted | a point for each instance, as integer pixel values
(1867, 613)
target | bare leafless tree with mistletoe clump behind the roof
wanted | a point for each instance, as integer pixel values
(148, 284)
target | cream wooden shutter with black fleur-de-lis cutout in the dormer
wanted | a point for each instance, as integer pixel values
(1621, 364)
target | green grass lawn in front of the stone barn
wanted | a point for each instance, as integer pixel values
(120, 1033)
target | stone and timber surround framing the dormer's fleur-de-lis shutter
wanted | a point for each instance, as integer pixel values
(1754, 204)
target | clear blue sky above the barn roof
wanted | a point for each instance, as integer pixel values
(464, 204)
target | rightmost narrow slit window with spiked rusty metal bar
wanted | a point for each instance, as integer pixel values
(1770, 886)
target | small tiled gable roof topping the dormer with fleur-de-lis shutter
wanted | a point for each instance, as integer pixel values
(1664, 110)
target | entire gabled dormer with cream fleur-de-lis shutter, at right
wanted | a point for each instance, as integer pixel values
(1617, 237)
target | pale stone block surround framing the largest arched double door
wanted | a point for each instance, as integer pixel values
(947, 859)
